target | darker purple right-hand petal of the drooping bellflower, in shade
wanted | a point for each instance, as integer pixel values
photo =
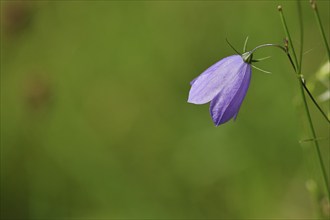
(227, 103)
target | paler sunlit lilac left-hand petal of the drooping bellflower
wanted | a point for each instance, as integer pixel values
(207, 85)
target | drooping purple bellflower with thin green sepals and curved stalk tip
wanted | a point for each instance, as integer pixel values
(225, 85)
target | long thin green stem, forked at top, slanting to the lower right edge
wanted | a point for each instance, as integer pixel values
(298, 72)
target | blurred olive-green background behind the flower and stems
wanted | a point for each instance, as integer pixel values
(95, 121)
